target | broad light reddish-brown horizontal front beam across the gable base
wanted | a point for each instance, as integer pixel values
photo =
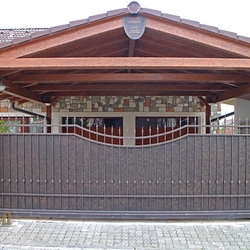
(124, 63)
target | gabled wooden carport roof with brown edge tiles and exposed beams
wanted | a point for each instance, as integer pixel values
(94, 56)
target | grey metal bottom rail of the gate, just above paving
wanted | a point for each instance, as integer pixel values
(135, 215)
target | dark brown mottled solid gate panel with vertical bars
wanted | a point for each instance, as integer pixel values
(66, 175)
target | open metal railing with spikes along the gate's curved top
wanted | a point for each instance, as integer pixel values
(121, 136)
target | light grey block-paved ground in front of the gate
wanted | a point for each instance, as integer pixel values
(49, 234)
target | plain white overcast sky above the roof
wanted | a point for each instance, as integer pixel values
(230, 15)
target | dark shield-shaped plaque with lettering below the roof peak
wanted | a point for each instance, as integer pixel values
(134, 26)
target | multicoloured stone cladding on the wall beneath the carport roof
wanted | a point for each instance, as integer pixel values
(120, 104)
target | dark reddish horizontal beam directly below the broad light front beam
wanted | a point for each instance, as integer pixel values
(132, 78)
